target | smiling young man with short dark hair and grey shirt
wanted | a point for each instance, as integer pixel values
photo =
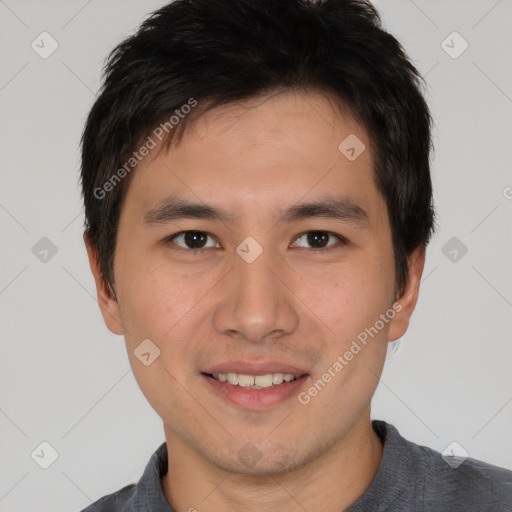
(258, 202)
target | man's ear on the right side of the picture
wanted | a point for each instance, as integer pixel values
(407, 301)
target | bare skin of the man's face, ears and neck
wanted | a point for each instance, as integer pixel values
(293, 304)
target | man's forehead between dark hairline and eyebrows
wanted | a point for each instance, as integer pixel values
(260, 152)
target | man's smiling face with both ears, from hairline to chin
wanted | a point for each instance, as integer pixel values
(252, 281)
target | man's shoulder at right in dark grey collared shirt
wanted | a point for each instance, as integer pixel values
(419, 478)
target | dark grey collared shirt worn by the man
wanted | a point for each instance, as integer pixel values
(410, 478)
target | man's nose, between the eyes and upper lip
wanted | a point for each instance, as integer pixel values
(257, 302)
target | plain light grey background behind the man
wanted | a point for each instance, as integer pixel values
(65, 379)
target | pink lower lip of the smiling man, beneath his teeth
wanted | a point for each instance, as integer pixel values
(256, 399)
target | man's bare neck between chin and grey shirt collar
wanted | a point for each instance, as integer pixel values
(330, 482)
